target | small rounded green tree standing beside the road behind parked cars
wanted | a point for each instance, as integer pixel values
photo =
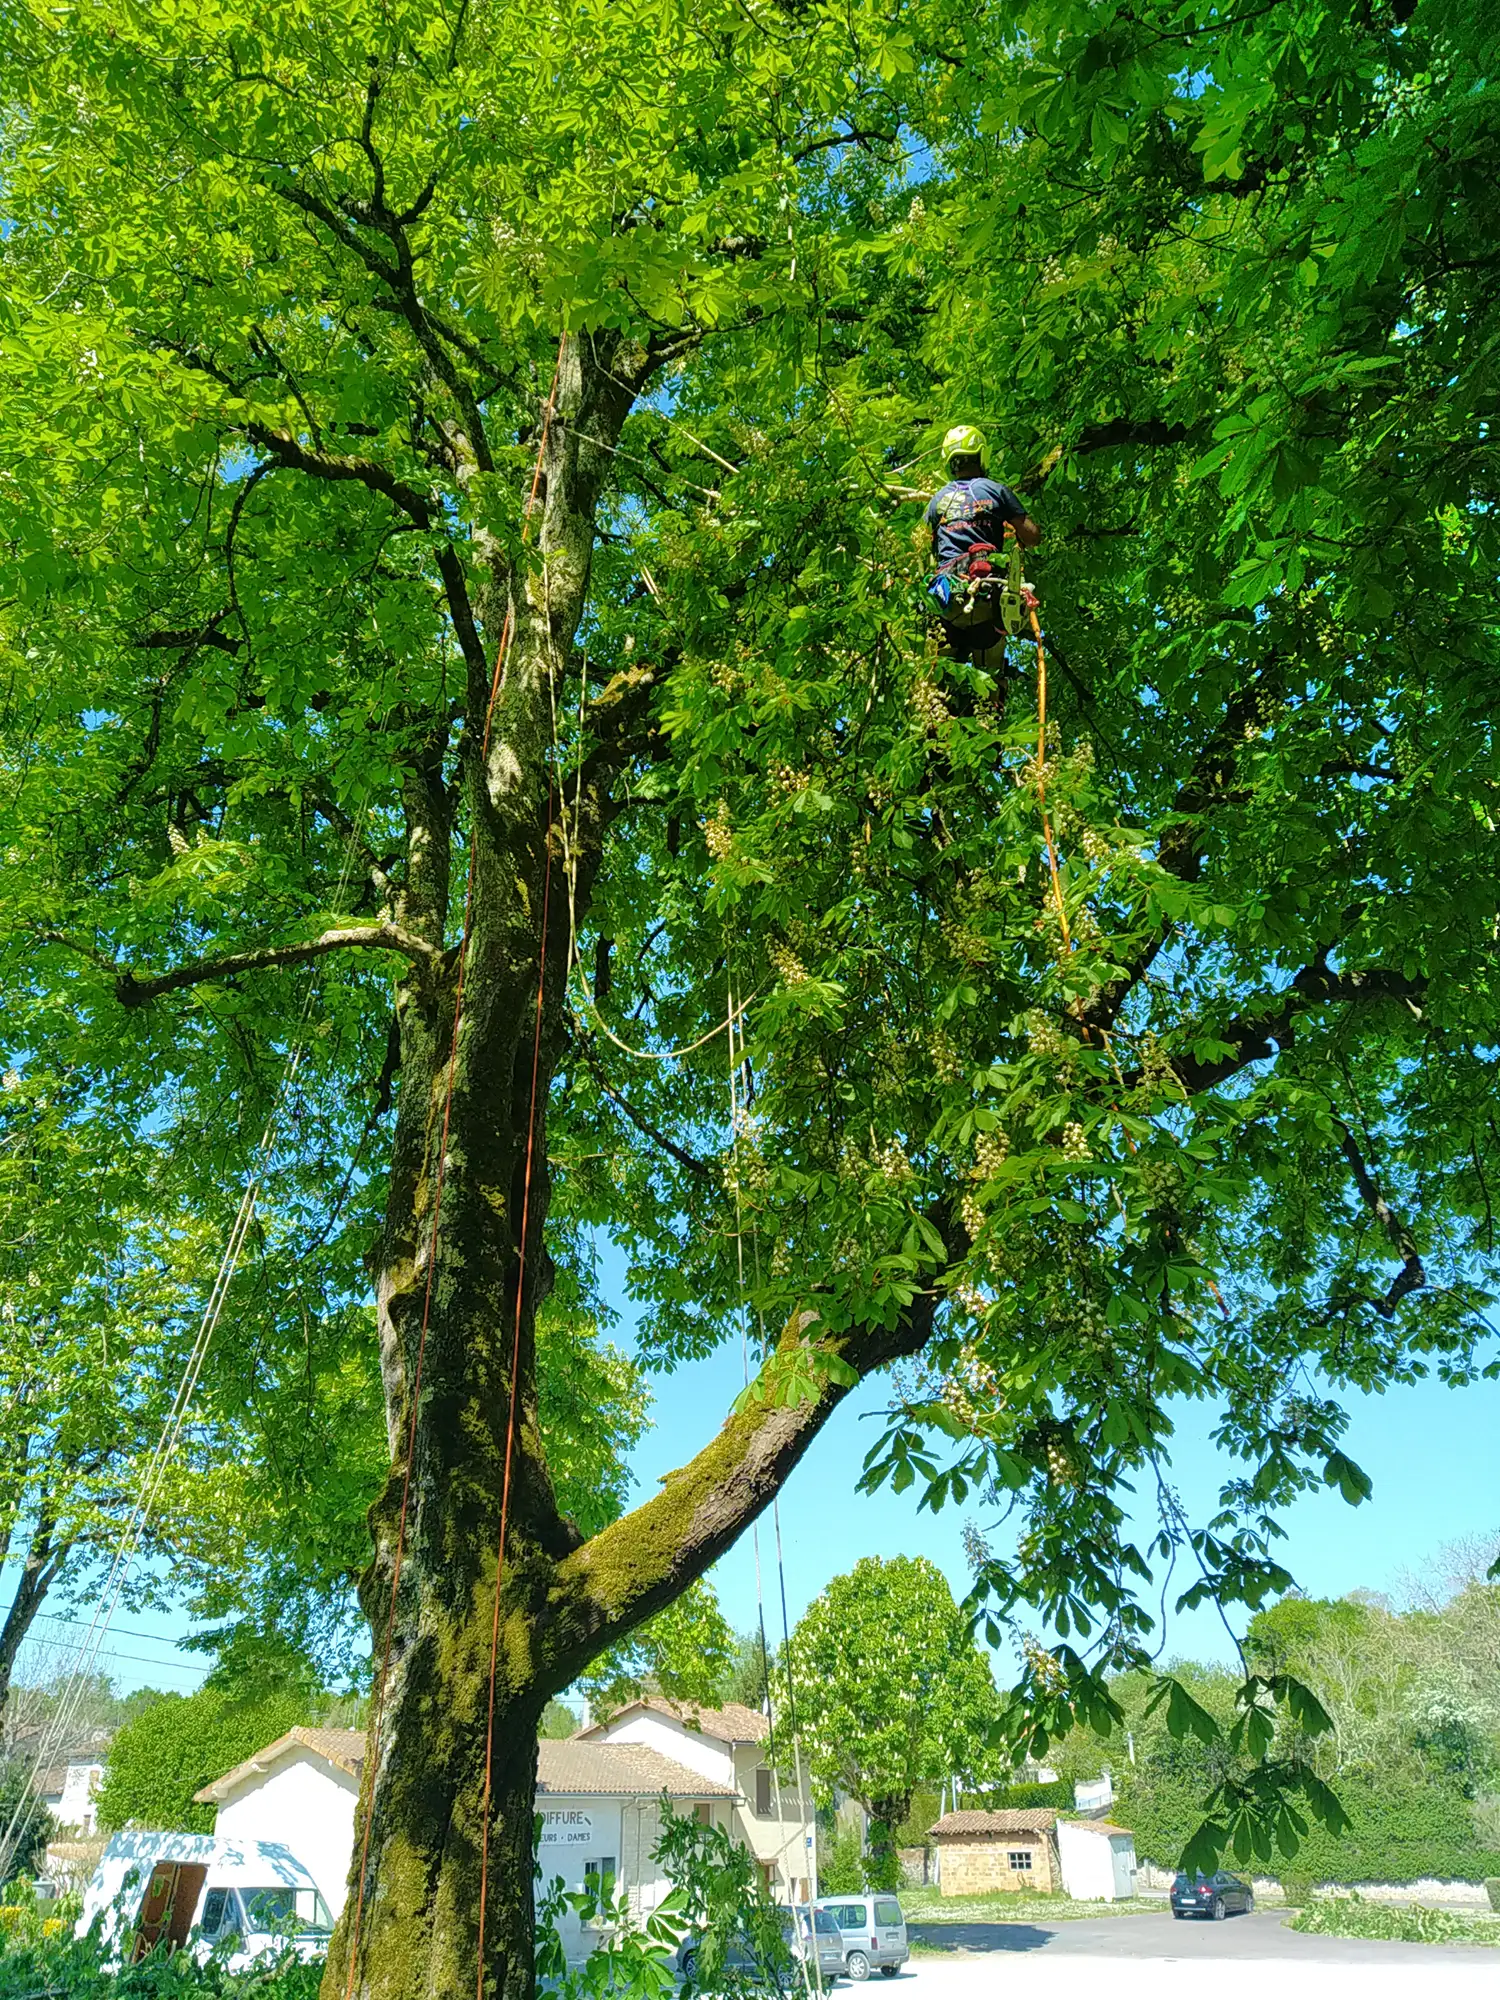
(891, 1693)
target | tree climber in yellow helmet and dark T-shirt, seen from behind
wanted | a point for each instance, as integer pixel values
(975, 583)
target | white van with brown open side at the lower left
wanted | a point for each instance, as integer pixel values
(245, 1899)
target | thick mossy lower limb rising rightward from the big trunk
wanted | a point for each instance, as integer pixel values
(645, 1561)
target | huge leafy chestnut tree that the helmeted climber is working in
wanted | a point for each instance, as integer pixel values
(1199, 1115)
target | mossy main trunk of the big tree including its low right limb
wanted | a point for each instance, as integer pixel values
(413, 1919)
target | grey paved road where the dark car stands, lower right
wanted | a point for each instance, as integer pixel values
(1259, 1937)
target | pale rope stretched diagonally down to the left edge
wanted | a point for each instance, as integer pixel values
(157, 1467)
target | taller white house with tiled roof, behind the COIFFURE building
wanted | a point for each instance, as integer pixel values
(731, 1747)
